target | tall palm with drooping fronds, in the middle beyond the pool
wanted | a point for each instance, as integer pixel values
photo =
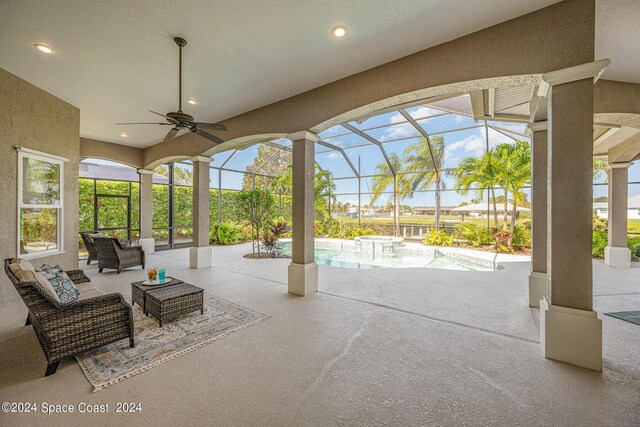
(426, 163)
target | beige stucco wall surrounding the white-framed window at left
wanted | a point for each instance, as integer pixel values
(33, 118)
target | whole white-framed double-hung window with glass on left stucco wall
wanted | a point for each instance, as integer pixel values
(40, 204)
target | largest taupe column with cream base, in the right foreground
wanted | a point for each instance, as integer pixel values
(570, 331)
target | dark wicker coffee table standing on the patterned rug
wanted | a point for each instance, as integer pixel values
(166, 302)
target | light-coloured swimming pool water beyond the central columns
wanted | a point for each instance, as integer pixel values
(345, 253)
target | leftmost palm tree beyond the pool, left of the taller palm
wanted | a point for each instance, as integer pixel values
(384, 178)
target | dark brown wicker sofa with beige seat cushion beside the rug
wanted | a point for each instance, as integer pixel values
(65, 330)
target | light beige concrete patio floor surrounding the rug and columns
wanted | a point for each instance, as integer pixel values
(372, 347)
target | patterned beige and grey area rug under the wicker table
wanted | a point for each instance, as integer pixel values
(115, 362)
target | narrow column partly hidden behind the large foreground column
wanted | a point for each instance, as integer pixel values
(539, 152)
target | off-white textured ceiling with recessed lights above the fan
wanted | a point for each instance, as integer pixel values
(116, 59)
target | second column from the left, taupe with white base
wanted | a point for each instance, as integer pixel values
(200, 251)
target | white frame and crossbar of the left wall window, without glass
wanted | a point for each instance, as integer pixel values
(32, 154)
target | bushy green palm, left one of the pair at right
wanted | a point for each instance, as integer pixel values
(481, 174)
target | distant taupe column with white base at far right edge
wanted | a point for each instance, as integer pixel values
(617, 254)
